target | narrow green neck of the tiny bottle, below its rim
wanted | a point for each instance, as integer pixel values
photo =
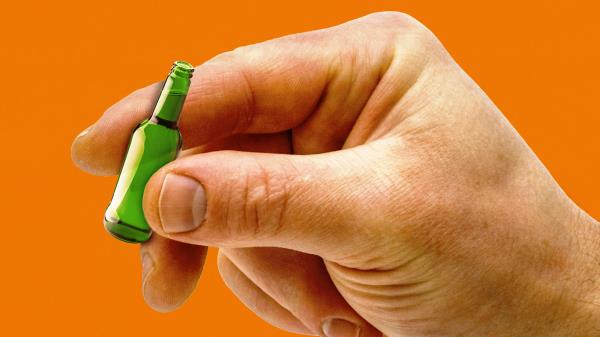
(171, 99)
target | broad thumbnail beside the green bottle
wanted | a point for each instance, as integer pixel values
(182, 204)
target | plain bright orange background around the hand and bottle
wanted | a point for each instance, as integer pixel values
(63, 63)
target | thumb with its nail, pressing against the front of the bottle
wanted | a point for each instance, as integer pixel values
(318, 204)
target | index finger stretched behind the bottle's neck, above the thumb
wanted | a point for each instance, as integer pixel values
(316, 79)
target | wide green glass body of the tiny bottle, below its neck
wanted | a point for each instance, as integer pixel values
(152, 145)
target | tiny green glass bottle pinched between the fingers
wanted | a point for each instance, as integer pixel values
(154, 143)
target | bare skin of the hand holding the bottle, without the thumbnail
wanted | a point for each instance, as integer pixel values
(410, 207)
